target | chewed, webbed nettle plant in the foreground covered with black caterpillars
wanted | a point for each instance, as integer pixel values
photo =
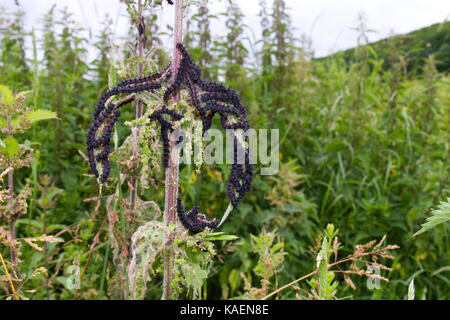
(174, 106)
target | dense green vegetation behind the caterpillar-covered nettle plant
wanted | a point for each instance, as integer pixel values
(365, 143)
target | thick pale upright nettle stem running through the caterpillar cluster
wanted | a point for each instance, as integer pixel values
(171, 183)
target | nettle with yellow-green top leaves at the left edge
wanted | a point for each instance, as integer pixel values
(16, 118)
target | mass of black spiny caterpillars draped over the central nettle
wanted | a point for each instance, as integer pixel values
(208, 98)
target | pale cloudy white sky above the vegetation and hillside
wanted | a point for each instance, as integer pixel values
(328, 23)
